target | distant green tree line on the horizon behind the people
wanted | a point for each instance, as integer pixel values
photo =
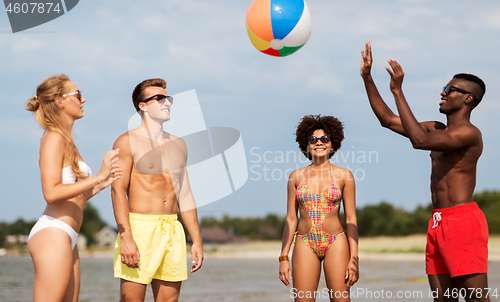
(373, 220)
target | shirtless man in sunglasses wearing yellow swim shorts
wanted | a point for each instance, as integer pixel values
(151, 245)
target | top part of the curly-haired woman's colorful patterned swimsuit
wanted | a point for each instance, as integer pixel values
(323, 202)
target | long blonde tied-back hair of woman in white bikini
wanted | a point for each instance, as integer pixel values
(49, 117)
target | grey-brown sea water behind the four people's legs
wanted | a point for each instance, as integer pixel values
(237, 280)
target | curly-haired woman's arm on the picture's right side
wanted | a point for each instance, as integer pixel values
(349, 197)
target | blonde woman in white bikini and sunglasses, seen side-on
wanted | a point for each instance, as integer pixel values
(66, 184)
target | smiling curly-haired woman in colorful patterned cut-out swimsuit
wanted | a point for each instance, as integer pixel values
(316, 191)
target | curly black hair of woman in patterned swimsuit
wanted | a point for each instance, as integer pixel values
(329, 124)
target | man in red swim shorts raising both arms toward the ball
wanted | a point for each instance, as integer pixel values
(457, 238)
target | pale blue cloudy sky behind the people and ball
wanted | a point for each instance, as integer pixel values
(109, 47)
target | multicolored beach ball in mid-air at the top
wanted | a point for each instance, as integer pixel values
(278, 27)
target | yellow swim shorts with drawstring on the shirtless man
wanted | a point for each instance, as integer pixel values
(162, 248)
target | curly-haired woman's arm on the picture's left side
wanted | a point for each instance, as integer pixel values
(285, 271)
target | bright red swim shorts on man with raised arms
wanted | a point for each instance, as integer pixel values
(457, 241)
